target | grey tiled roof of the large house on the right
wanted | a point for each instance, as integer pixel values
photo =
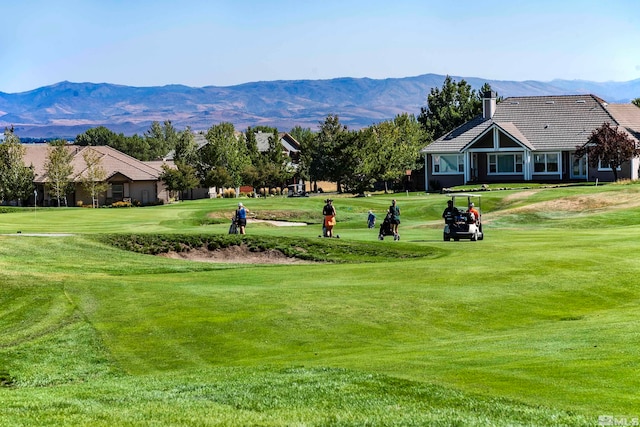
(543, 123)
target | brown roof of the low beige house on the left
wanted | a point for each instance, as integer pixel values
(113, 161)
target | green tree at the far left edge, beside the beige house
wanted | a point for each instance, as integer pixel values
(16, 179)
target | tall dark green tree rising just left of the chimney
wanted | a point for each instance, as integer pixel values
(449, 107)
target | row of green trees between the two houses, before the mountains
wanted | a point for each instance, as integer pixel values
(355, 159)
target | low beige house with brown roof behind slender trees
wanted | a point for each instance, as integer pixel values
(128, 179)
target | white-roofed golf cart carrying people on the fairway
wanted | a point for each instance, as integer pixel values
(460, 221)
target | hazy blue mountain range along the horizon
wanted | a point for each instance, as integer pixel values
(66, 109)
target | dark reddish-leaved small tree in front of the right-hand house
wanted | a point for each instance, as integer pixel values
(610, 147)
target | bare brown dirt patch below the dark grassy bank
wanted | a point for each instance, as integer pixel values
(238, 254)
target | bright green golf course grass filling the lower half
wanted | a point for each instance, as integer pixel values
(156, 316)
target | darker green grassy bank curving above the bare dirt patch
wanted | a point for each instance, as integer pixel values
(320, 250)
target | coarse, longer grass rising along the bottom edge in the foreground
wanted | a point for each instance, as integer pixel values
(274, 397)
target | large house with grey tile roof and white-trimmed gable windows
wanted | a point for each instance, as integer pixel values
(528, 139)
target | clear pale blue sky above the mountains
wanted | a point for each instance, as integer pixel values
(221, 43)
